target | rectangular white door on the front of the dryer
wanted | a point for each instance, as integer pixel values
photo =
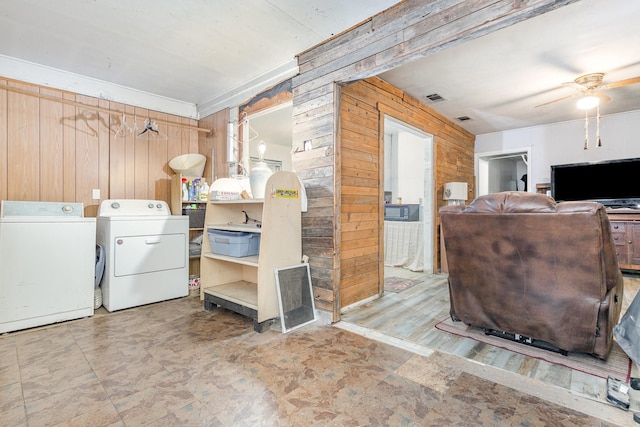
(146, 254)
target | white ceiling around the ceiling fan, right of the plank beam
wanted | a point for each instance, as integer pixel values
(499, 79)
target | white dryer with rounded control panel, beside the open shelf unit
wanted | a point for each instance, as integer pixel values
(146, 252)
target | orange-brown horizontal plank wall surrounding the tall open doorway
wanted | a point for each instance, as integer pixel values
(363, 107)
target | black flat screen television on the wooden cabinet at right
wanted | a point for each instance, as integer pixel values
(614, 183)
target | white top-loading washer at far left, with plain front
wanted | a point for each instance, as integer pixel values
(47, 263)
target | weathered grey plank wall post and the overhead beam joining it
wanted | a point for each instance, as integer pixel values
(407, 31)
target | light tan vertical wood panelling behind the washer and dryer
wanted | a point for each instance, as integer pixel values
(51, 151)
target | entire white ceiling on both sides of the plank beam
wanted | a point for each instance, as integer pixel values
(199, 52)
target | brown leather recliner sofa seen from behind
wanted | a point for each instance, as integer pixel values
(527, 268)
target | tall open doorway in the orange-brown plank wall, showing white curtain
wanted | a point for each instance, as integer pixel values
(408, 182)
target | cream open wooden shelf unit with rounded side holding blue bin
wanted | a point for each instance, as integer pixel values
(247, 285)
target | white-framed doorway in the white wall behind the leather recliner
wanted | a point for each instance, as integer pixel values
(503, 171)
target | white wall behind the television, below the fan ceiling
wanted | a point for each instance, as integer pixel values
(562, 143)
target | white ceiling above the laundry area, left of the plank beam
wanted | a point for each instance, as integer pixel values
(189, 50)
